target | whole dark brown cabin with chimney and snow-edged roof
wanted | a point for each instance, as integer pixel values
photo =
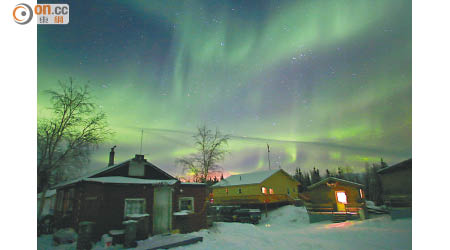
(134, 188)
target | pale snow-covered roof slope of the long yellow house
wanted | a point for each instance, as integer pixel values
(245, 179)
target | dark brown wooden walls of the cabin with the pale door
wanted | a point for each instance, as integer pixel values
(104, 204)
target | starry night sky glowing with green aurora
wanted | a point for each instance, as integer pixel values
(325, 83)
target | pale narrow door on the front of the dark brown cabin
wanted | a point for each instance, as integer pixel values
(162, 210)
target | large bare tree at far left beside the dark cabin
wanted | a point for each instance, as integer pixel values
(69, 133)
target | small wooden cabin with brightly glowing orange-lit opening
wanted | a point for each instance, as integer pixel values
(335, 199)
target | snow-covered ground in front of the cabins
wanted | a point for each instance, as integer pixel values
(288, 228)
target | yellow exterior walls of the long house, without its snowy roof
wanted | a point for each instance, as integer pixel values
(251, 194)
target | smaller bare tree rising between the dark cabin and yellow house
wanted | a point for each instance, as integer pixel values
(210, 147)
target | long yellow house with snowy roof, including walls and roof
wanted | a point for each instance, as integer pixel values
(272, 186)
